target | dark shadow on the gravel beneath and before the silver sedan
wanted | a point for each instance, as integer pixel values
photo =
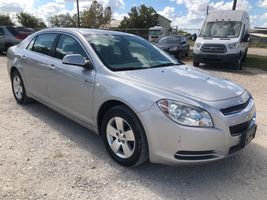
(231, 178)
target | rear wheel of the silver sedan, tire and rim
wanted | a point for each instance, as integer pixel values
(18, 88)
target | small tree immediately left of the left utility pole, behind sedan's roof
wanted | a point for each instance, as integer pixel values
(63, 20)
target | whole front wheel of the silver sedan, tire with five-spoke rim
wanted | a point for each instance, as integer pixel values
(124, 136)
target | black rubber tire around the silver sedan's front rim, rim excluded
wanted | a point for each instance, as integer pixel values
(123, 112)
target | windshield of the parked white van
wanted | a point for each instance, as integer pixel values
(221, 29)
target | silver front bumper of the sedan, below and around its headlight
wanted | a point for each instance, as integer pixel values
(171, 143)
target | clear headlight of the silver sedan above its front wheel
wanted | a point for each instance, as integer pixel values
(185, 114)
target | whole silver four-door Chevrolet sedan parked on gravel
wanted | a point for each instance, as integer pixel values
(145, 104)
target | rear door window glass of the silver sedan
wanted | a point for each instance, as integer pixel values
(43, 43)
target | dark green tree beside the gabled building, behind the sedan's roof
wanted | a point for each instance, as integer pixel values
(140, 17)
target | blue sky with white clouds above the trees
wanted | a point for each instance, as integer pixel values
(184, 13)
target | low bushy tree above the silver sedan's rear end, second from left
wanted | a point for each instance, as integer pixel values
(26, 19)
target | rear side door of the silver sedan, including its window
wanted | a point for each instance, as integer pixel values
(36, 62)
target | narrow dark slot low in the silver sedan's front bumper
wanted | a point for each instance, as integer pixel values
(195, 155)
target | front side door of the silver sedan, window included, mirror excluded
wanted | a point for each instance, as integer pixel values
(70, 87)
